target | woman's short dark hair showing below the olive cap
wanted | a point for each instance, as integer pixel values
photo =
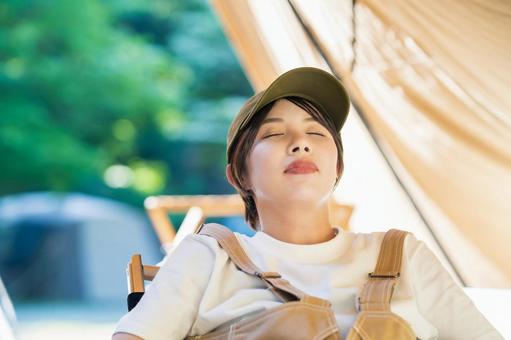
(245, 140)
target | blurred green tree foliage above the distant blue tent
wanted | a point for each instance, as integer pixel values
(115, 98)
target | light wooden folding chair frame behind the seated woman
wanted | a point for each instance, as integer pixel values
(197, 208)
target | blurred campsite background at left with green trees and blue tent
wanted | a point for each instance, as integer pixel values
(103, 103)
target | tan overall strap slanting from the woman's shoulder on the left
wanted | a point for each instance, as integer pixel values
(279, 286)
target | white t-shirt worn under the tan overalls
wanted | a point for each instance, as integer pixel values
(199, 288)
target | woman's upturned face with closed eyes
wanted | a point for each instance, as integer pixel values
(289, 133)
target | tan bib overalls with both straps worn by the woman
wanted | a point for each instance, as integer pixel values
(303, 316)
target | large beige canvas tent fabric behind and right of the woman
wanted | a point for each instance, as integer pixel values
(428, 80)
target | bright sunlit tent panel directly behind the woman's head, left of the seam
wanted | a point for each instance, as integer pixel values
(379, 200)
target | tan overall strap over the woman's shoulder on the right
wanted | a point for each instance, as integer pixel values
(377, 291)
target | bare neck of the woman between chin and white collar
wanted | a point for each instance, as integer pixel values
(295, 222)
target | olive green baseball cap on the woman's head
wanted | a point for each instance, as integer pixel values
(314, 84)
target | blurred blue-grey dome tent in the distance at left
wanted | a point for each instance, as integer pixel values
(70, 247)
